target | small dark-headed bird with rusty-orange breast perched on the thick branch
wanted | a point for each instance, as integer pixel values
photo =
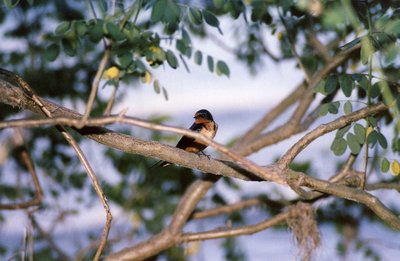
(203, 123)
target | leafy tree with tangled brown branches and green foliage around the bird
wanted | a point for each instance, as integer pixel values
(346, 50)
